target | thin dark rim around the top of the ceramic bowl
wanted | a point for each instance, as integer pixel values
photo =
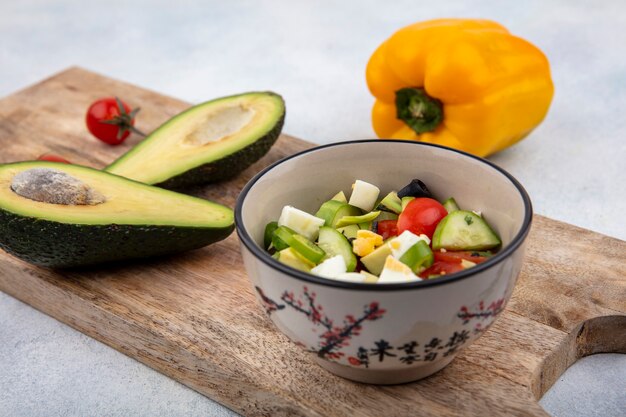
(267, 259)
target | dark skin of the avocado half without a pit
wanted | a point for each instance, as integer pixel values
(229, 166)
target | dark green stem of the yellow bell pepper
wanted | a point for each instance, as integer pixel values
(418, 110)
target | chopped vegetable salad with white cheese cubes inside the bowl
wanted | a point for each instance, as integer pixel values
(402, 237)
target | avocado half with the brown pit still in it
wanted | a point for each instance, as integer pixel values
(109, 218)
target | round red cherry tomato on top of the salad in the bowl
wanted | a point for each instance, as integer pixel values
(421, 216)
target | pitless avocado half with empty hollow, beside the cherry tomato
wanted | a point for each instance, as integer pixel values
(209, 142)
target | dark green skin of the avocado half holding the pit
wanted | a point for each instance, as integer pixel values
(61, 245)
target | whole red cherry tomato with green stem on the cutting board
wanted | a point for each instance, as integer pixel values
(111, 120)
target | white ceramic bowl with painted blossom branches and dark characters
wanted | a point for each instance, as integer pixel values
(383, 333)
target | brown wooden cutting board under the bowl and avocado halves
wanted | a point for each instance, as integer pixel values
(194, 317)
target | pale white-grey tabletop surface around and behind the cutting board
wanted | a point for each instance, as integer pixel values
(314, 54)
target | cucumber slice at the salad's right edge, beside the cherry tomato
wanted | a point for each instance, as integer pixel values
(464, 230)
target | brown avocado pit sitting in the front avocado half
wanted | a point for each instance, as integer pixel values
(52, 186)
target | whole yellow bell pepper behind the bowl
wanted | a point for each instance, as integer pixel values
(463, 83)
